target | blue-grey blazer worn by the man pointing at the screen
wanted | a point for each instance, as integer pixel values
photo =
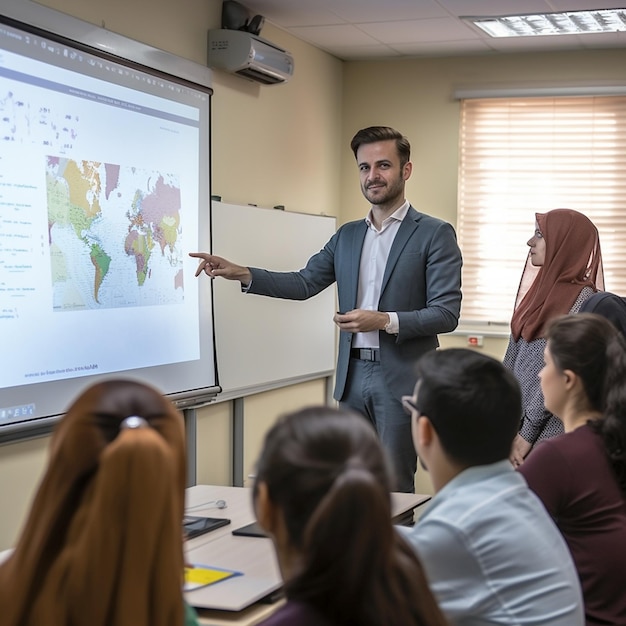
(422, 283)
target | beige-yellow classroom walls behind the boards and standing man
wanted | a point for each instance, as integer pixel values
(288, 144)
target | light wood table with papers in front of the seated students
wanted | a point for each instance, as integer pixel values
(247, 598)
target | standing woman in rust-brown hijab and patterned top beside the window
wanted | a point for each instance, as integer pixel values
(563, 269)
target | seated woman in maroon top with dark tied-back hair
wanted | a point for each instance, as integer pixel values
(581, 475)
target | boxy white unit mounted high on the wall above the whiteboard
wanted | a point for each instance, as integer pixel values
(249, 55)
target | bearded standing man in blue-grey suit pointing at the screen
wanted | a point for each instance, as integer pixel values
(398, 275)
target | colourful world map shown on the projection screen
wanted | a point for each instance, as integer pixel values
(114, 235)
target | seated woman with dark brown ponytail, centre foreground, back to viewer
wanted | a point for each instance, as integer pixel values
(322, 493)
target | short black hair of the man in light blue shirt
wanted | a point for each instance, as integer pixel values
(473, 403)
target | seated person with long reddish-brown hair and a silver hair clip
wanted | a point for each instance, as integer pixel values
(102, 544)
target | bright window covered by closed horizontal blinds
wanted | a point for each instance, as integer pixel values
(521, 156)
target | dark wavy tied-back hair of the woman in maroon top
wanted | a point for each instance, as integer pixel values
(590, 346)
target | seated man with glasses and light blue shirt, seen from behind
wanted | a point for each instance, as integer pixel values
(491, 553)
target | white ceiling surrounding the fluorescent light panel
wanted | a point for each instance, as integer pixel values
(379, 29)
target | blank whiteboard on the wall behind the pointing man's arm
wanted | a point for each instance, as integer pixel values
(264, 342)
